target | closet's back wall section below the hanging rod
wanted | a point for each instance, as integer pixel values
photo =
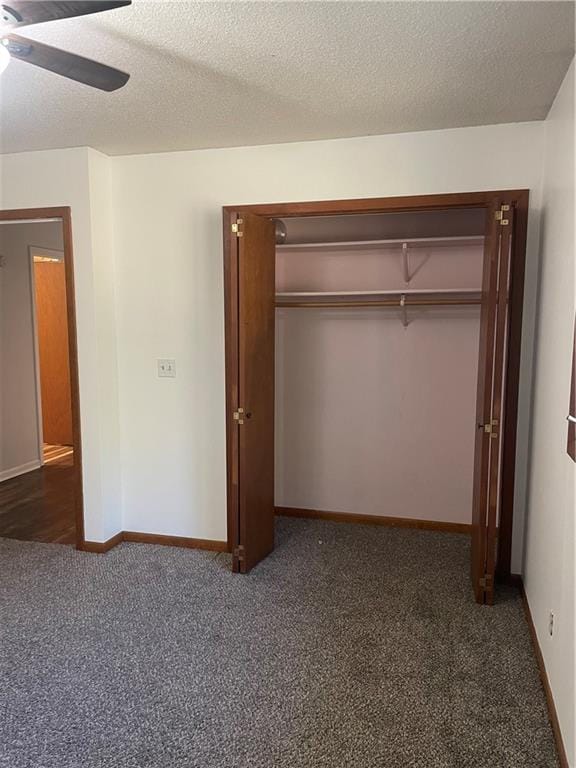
(361, 402)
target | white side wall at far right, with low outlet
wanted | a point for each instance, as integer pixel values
(549, 562)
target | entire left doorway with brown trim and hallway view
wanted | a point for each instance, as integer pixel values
(40, 460)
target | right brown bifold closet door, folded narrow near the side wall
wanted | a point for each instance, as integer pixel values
(490, 398)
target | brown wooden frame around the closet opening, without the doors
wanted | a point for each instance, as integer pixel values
(517, 198)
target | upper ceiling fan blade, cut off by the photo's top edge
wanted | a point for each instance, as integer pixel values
(18, 13)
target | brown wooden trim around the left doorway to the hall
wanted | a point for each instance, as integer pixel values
(65, 215)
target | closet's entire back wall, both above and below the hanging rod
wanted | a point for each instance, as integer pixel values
(375, 406)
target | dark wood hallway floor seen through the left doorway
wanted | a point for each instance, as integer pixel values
(39, 506)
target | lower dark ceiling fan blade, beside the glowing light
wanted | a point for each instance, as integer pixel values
(64, 63)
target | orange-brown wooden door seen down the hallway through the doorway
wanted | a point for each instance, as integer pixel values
(52, 332)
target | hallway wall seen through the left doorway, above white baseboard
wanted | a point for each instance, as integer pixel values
(19, 418)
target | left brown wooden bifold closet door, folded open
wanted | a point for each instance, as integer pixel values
(254, 413)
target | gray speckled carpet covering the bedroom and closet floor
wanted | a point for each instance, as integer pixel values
(349, 647)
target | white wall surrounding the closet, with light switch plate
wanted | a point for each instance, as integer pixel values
(168, 242)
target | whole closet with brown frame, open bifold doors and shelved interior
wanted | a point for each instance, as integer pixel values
(372, 368)
